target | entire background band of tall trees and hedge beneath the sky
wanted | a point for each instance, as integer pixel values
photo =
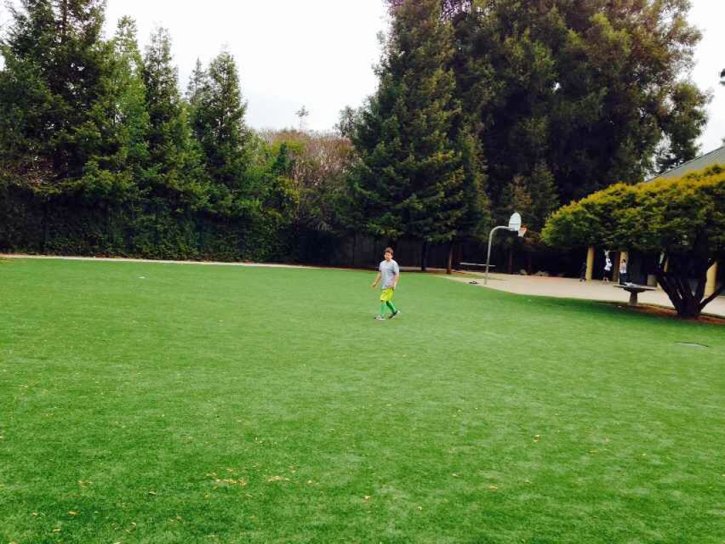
(483, 108)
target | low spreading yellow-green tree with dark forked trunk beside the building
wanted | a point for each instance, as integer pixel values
(681, 219)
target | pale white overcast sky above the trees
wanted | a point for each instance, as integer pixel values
(320, 53)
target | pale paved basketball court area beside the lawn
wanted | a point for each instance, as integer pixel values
(573, 288)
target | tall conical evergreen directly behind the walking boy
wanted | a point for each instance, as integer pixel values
(409, 180)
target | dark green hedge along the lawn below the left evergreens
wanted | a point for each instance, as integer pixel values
(75, 226)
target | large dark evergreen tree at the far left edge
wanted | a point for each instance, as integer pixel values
(53, 88)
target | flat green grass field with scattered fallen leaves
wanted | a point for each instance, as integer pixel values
(153, 403)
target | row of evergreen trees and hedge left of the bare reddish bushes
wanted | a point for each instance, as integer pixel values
(98, 156)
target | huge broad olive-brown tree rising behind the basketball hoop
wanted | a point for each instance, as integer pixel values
(589, 91)
